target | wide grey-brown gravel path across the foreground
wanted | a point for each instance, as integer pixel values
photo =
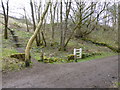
(100, 73)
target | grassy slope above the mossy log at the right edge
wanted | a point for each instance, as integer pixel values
(109, 37)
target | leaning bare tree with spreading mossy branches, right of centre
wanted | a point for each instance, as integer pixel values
(81, 21)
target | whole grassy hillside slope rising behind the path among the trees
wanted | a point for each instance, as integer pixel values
(89, 49)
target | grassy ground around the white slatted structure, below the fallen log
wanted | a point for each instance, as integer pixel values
(87, 48)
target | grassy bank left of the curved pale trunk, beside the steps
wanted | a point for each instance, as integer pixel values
(9, 64)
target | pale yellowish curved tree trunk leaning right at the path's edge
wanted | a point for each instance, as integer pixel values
(29, 44)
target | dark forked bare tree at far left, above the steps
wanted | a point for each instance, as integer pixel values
(5, 13)
